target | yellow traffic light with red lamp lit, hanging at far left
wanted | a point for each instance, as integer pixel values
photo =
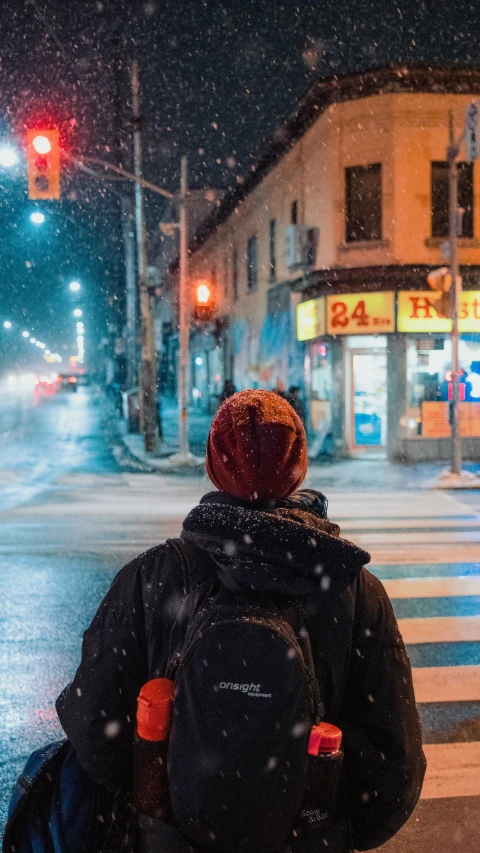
(43, 160)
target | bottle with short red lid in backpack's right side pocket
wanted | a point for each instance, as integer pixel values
(323, 775)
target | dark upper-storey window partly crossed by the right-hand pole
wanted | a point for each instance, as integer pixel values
(440, 198)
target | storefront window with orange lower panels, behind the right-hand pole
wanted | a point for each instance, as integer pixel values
(429, 388)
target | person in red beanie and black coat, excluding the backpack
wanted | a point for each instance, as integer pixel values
(259, 537)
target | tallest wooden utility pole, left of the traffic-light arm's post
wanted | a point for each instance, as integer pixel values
(148, 373)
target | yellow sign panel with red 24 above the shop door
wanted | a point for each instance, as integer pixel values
(361, 314)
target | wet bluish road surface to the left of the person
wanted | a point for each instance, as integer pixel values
(70, 516)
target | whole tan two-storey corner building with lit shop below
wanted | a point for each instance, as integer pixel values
(319, 259)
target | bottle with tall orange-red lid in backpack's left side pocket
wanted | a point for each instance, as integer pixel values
(154, 717)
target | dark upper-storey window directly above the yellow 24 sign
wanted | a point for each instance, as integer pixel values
(364, 203)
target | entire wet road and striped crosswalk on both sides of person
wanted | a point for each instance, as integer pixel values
(73, 510)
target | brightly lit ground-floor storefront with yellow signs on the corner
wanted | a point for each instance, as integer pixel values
(378, 373)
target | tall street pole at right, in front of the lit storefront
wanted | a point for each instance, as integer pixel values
(456, 291)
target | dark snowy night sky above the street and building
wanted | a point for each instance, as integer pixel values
(216, 76)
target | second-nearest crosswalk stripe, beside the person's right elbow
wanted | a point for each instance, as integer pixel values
(447, 683)
